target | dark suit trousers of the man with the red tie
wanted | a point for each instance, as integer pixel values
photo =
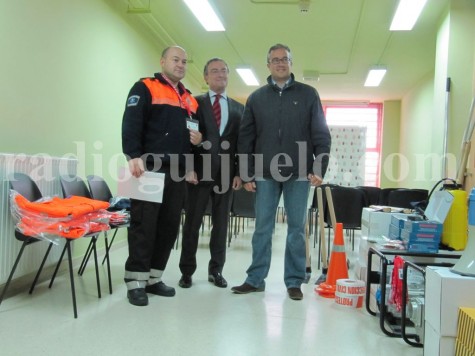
(197, 199)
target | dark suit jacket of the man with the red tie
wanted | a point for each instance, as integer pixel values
(218, 155)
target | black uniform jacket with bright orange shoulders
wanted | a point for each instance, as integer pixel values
(154, 120)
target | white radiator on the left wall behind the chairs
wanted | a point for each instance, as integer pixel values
(44, 170)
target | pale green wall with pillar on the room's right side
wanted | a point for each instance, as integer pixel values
(429, 110)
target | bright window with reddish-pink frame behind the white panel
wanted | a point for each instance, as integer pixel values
(370, 116)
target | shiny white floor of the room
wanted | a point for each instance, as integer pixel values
(202, 320)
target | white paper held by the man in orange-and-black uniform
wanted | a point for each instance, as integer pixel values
(149, 186)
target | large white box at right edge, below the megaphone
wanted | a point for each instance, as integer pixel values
(445, 292)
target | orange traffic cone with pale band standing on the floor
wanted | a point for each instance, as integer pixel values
(337, 268)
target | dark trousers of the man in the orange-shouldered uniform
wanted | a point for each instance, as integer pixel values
(154, 228)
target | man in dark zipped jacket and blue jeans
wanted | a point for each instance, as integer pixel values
(283, 144)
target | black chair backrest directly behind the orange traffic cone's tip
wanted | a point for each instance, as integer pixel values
(348, 203)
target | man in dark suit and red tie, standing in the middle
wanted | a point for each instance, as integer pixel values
(215, 172)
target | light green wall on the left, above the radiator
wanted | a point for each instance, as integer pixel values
(67, 67)
